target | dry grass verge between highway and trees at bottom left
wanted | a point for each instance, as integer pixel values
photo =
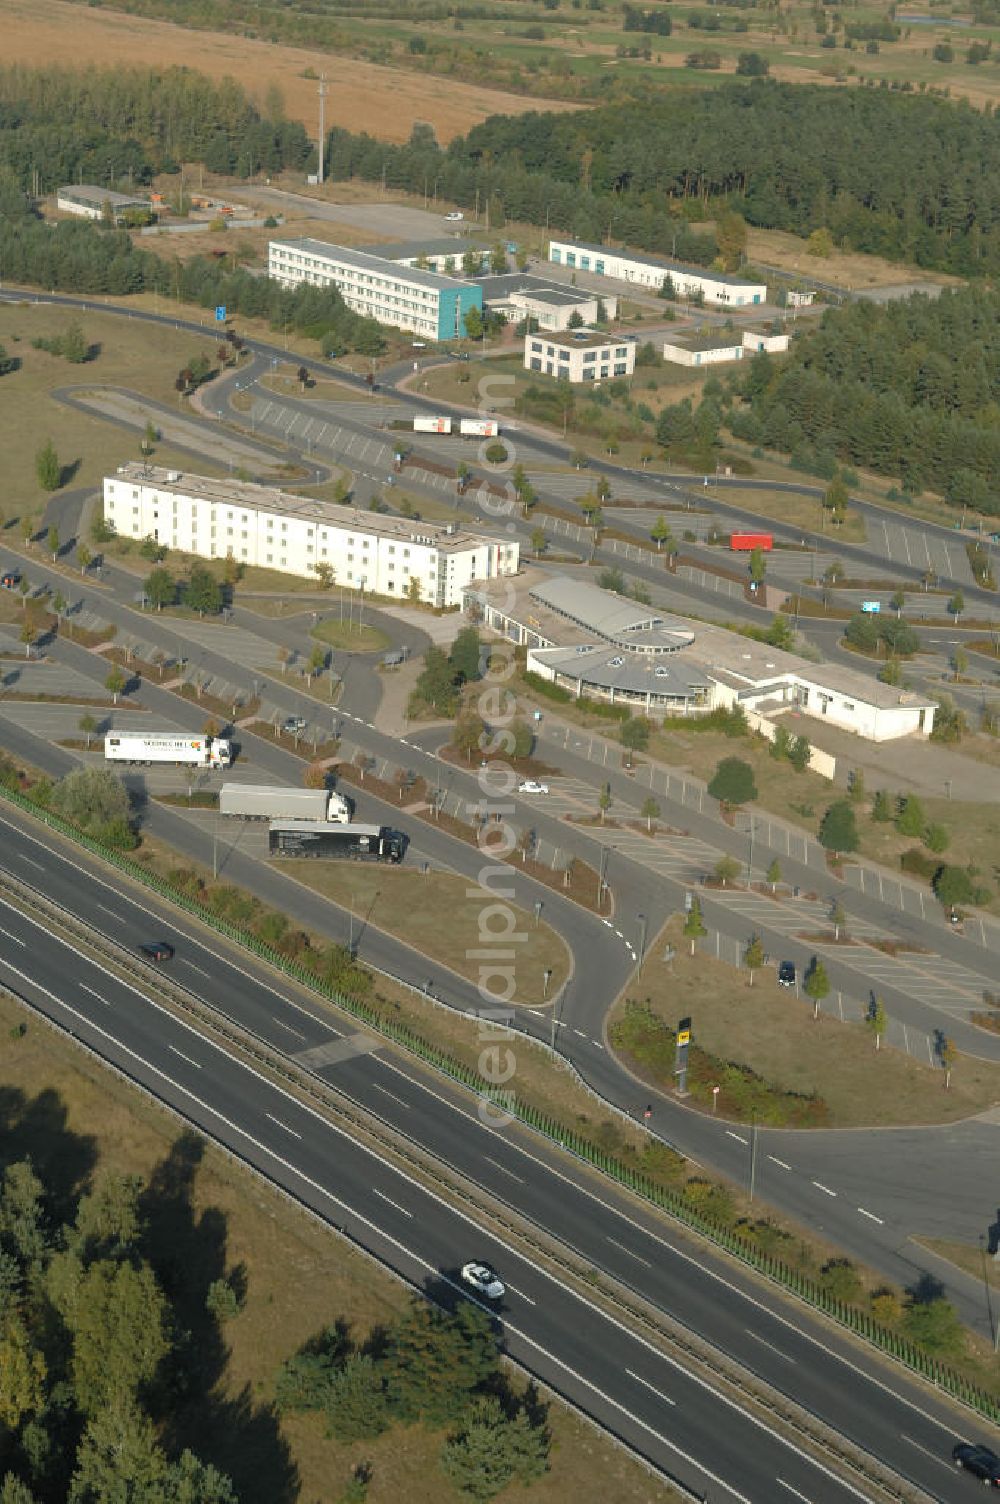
(76, 1118)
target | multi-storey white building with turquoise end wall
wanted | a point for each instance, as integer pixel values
(404, 297)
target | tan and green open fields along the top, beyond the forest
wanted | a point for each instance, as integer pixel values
(491, 58)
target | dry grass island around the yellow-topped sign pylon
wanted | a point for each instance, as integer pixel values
(766, 1028)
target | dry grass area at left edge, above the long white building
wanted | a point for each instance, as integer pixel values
(144, 359)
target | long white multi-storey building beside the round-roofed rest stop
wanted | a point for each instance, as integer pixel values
(297, 535)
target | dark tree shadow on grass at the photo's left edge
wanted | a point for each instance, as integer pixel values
(37, 1129)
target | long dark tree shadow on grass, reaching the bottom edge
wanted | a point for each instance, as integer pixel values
(187, 1249)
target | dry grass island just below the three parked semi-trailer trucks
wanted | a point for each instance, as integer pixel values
(434, 914)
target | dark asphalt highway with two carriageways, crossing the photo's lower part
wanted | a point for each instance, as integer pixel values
(680, 1422)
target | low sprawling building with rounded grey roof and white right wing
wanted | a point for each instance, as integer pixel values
(602, 646)
